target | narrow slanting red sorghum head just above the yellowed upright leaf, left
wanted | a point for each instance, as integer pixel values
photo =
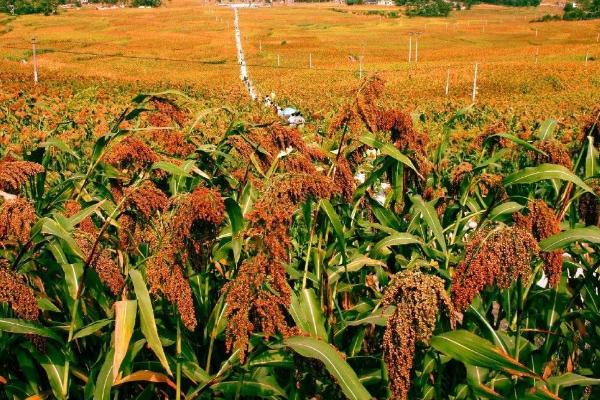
(101, 260)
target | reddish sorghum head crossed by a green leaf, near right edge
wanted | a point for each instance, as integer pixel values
(542, 222)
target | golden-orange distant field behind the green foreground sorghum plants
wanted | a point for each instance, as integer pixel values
(536, 70)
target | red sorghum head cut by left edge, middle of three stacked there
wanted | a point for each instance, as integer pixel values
(17, 216)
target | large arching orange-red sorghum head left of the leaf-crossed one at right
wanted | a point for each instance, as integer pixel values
(494, 255)
